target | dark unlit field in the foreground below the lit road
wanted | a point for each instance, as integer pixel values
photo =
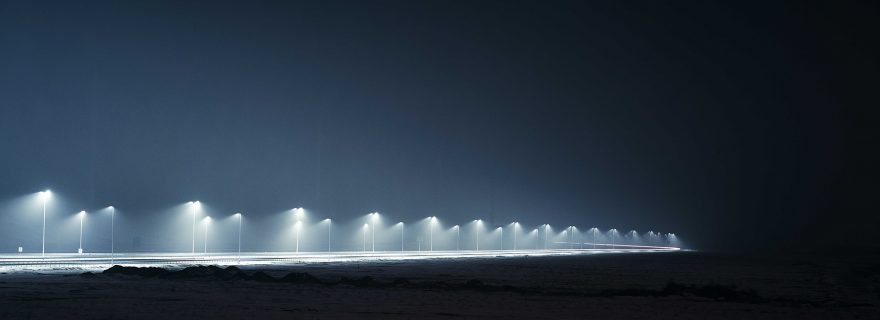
(640, 286)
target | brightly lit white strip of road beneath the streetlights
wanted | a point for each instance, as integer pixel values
(100, 261)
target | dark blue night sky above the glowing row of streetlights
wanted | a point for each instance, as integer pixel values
(732, 125)
